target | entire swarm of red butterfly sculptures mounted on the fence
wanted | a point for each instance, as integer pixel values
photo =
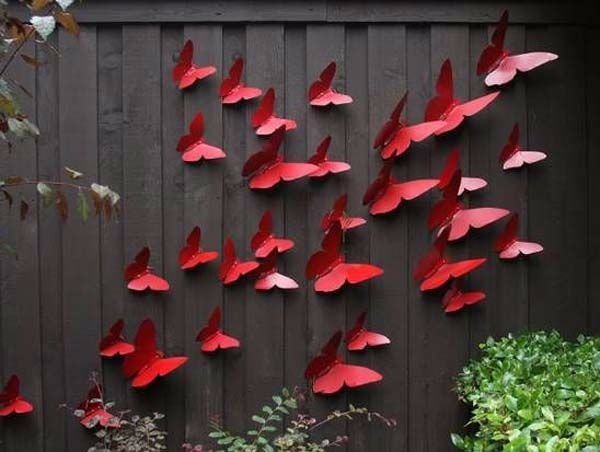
(328, 372)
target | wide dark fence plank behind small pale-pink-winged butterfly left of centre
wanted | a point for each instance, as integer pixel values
(264, 312)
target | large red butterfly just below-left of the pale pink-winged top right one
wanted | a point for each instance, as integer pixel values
(445, 107)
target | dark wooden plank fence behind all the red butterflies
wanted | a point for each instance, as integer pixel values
(107, 106)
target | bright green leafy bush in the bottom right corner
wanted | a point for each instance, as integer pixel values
(534, 392)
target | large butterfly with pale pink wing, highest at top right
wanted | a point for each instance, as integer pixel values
(499, 65)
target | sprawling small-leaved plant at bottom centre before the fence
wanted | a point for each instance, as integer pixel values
(272, 433)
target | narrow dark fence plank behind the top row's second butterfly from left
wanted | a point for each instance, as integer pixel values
(235, 122)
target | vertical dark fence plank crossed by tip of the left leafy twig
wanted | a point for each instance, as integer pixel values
(110, 168)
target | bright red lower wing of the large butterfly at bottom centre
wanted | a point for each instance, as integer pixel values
(341, 375)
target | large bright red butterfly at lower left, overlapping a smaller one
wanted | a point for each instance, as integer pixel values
(147, 363)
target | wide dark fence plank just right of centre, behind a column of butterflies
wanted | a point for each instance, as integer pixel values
(326, 313)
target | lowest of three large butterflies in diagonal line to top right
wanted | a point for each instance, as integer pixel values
(395, 137)
